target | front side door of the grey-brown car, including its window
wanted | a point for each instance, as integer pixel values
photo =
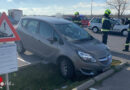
(47, 46)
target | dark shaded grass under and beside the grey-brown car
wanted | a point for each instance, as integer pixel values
(43, 77)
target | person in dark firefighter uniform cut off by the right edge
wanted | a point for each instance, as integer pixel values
(128, 37)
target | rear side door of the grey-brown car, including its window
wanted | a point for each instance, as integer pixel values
(29, 34)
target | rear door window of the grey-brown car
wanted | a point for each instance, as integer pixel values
(32, 26)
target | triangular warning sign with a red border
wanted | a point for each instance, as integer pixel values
(7, 31)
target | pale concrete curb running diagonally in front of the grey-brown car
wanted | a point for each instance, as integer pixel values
(100, 77)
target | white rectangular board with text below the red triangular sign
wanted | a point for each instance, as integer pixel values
(8, 58)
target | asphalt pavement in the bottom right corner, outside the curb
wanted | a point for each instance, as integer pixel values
(118, 81)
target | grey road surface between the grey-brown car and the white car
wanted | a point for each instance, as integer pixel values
(116, 44)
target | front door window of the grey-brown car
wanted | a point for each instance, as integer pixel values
(45, 30)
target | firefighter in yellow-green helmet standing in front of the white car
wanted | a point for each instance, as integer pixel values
(106, 25)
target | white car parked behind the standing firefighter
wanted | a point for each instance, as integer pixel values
(95, 26)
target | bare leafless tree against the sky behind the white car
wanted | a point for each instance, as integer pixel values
(119, 5)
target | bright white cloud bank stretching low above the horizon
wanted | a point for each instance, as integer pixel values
(83, 8)
